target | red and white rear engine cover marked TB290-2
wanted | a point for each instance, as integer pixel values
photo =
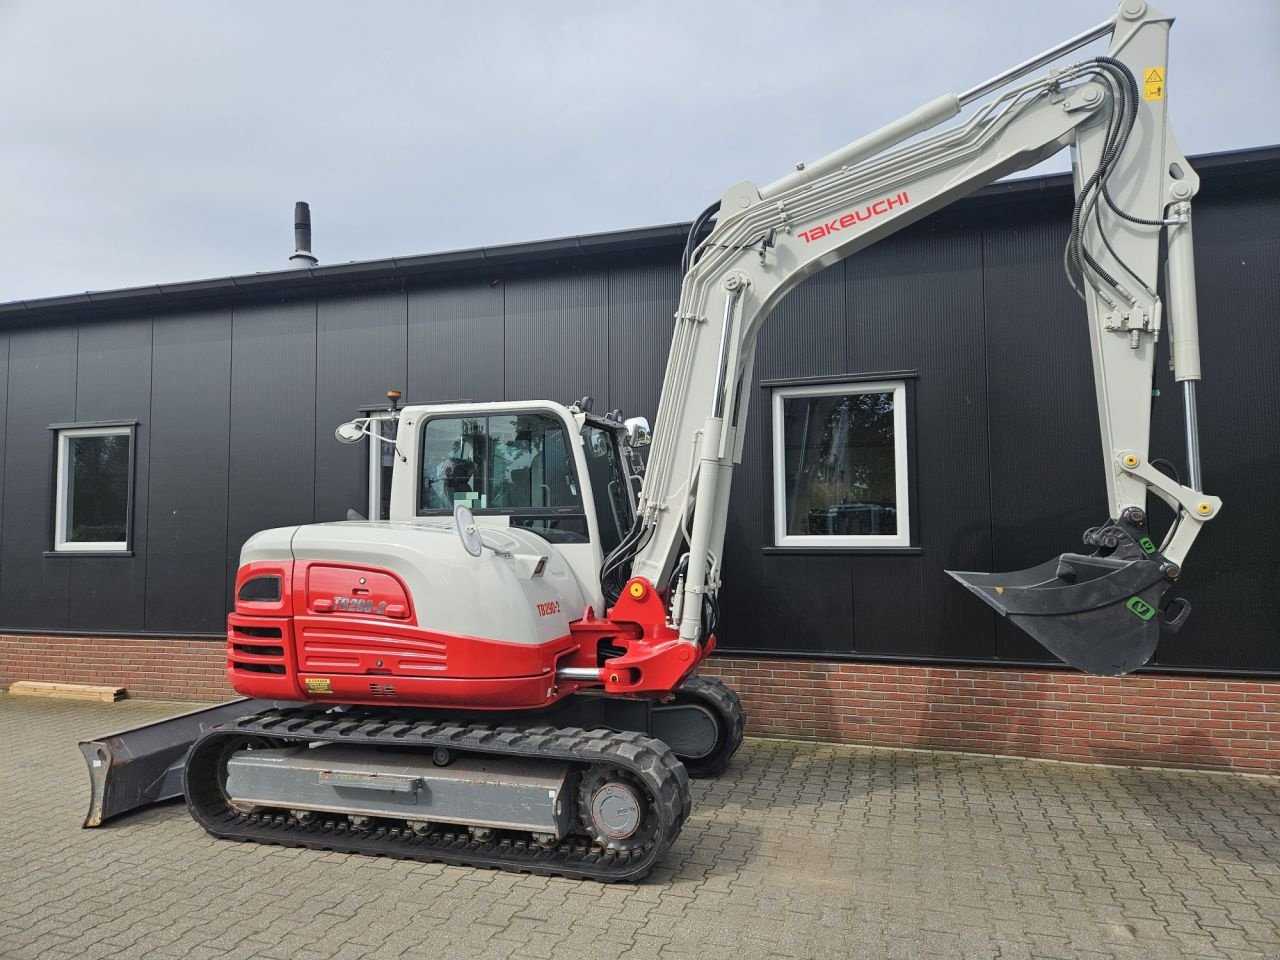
(369, 612)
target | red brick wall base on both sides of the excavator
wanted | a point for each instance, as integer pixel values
(1145, 720)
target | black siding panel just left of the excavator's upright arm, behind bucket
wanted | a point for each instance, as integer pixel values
(1046, 451)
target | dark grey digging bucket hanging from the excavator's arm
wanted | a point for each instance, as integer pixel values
(1101, 615)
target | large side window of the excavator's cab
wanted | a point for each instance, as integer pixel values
(515, 464)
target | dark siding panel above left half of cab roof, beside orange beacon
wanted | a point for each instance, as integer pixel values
(456, 344)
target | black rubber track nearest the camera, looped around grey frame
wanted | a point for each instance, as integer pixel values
(651, 761)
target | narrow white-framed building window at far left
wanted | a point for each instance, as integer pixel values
(95, 490)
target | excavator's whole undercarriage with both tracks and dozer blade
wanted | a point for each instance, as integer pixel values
(595, 788)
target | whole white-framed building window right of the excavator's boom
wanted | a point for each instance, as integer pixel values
(840, 465)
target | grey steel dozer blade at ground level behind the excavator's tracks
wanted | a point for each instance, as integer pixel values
(144, 766)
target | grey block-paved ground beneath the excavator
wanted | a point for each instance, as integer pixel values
(802, 851)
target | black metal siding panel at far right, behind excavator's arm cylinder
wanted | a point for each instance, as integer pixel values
(1232, 574)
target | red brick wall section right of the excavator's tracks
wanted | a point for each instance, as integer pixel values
(1169, 721)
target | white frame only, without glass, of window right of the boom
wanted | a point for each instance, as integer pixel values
(835, 388)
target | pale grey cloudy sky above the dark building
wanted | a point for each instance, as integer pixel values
(154, 141)
